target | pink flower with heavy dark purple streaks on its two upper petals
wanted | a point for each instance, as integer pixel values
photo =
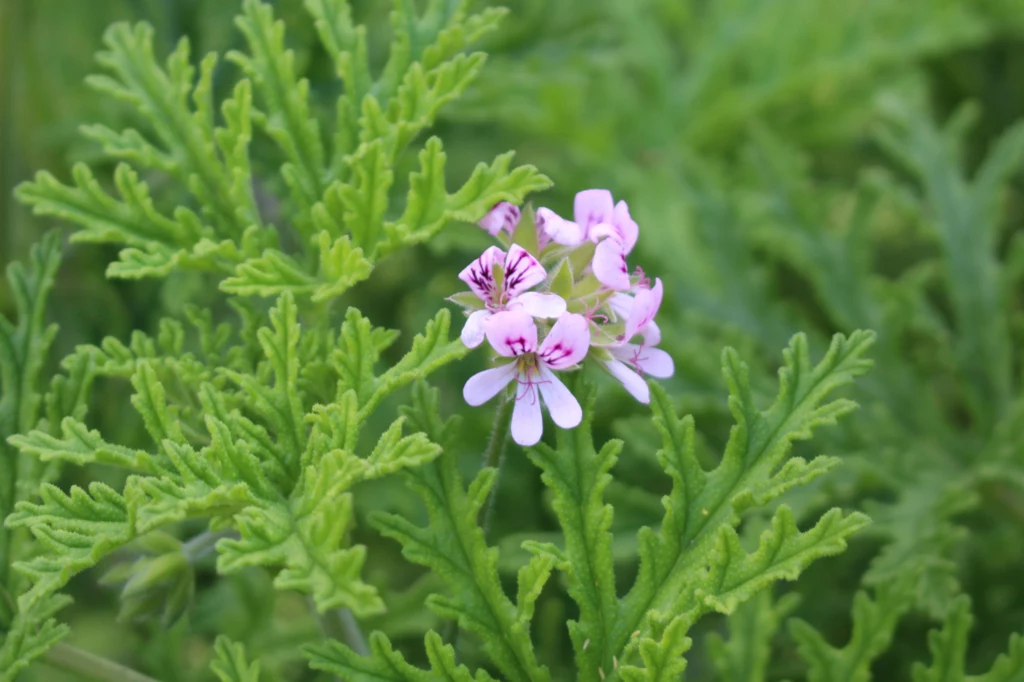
(521, 272)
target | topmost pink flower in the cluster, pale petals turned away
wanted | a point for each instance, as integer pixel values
(599, 220)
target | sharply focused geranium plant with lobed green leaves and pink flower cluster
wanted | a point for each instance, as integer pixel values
(280, 434)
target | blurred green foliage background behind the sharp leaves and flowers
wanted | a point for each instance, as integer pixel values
(812, 166)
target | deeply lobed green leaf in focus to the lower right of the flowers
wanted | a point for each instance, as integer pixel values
(702, 509)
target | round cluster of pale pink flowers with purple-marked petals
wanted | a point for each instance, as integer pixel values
(589, 306)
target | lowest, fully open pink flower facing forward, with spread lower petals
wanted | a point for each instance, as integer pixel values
(514, 334)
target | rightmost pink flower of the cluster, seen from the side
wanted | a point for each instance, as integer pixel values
(630, 362)
